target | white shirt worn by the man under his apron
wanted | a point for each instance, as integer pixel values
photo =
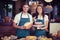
(17, 17)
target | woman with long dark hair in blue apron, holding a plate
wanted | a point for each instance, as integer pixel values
(41, 22)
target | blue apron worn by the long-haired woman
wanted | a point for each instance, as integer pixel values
(39, 32)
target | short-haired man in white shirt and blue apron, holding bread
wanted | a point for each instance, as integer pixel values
(21, 20)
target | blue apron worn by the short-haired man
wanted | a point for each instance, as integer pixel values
(23, 32)
